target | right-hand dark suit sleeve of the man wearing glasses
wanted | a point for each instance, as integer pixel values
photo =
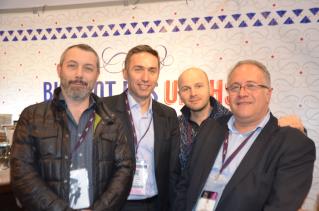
(294, 173)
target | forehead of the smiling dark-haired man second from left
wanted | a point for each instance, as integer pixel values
(143, 59)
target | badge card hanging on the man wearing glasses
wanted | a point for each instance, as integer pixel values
(206, 201)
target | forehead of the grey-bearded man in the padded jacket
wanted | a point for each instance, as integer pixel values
(80, 55)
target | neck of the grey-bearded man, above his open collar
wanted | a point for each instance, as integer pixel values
(77, 107)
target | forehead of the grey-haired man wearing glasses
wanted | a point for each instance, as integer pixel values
(247, 72)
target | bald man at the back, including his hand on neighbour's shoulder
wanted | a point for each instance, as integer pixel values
(194, 91)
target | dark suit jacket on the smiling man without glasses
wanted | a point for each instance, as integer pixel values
(166, 144)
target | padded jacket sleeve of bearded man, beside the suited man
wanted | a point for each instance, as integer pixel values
(118, 189)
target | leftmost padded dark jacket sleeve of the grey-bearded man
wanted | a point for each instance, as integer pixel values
(27, 185)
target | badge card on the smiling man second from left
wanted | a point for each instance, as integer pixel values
(140, 178)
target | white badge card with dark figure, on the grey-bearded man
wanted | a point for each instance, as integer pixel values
(79, 189)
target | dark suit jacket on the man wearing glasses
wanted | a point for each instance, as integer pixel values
(275, 174)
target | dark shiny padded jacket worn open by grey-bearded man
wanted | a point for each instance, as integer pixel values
(40, 163)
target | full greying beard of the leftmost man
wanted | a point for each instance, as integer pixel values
(77, 90)
